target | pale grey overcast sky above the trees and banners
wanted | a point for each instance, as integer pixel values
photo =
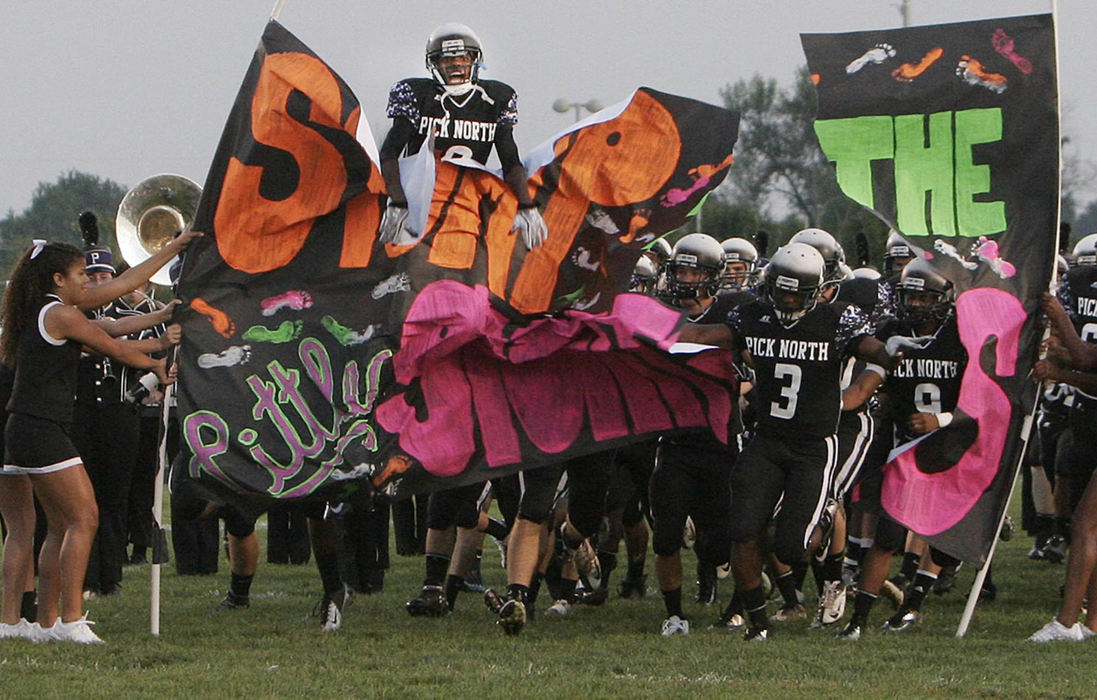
(126, 89)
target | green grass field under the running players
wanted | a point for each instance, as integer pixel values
(277, 649)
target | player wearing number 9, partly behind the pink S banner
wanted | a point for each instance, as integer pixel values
(922, 394)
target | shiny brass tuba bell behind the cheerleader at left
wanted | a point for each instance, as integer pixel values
(152, 214)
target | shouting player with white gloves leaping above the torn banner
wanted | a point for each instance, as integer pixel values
(468, 118)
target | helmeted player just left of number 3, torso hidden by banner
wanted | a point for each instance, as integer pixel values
(692, 471)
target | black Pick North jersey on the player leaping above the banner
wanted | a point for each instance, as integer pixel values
(467, 123)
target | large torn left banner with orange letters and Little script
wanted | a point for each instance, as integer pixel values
(319, 363)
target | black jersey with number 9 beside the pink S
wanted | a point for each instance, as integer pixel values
(925, 381)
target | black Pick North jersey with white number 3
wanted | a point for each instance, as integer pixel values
(798, 370)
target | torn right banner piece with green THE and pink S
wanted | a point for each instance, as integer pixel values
(951, 134)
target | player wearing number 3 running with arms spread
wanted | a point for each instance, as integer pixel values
(798, 347)
